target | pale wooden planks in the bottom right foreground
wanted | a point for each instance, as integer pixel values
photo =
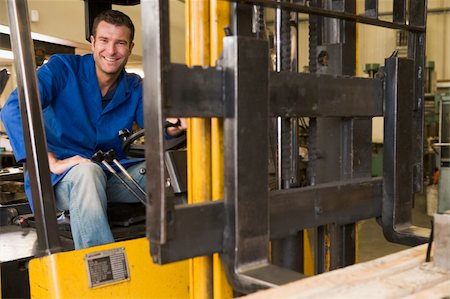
(394, 276)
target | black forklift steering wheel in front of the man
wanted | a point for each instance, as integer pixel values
(138, 150)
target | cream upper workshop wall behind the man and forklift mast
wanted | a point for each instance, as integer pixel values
(65, 19)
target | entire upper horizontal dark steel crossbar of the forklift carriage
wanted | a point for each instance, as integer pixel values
(197, 91)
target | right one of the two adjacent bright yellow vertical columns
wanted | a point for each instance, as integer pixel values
(220, 18)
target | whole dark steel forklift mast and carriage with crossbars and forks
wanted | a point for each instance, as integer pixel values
(246, 93)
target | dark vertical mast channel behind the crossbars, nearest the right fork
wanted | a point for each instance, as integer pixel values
(338, 139)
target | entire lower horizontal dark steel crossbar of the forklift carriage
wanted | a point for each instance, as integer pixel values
(289, 211)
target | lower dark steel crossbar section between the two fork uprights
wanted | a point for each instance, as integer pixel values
(335, 202)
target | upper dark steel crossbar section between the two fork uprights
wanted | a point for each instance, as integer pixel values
(301, 94)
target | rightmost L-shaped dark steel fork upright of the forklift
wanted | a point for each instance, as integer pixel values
(398, 155)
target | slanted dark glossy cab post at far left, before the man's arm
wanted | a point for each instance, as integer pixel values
(33, 129)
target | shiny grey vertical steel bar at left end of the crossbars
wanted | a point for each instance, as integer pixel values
(155, 26)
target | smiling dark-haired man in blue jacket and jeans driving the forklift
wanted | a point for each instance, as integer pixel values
(86, 100)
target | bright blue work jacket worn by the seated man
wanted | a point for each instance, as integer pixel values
(75, 122)
